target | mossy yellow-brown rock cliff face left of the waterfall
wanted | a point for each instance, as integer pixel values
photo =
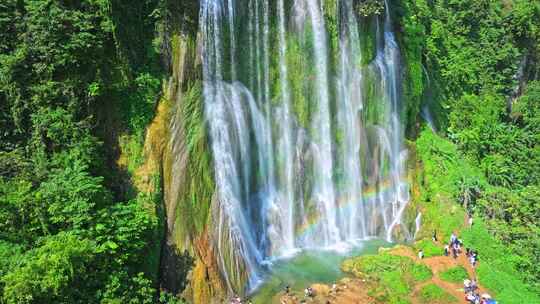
(175, 146)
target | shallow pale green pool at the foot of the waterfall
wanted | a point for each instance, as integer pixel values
(309, 267)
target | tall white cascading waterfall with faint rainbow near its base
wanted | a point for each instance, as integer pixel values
(307, 141)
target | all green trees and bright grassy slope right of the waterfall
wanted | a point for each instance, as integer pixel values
(480, 83)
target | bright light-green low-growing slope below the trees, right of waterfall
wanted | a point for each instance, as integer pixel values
(445, 170)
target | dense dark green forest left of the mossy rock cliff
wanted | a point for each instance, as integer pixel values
(79, 81)
